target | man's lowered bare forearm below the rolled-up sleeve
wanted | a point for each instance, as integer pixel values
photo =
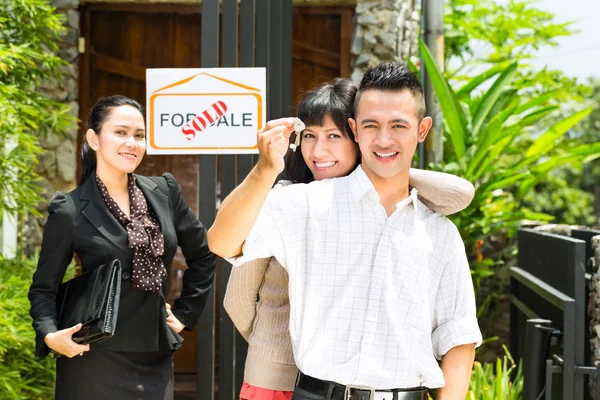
(457, 364)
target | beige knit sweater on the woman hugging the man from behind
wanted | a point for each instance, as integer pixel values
(257, 293)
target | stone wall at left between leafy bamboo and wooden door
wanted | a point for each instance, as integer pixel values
(58, 164)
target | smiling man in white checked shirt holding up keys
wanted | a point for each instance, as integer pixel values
(379, 285)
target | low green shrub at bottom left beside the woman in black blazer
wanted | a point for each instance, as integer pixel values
(22, 375)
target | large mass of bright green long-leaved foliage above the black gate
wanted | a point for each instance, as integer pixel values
(496, 107)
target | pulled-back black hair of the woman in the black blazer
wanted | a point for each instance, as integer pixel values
(98, 115)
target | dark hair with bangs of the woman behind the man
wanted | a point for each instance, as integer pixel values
(334, 99)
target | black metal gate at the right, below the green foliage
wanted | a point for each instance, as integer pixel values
(549, 324)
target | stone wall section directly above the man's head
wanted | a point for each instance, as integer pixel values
(384, 30)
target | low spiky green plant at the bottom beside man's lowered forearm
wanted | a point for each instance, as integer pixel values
(502, 380)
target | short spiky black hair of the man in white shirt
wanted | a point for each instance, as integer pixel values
(389, 76)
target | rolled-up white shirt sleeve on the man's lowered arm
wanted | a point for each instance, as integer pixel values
(455, 313)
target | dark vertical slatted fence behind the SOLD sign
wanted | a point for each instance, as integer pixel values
(254, 33)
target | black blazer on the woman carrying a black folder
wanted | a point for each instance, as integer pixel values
(80, 223)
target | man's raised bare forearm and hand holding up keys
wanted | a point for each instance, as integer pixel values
(239, 211)
